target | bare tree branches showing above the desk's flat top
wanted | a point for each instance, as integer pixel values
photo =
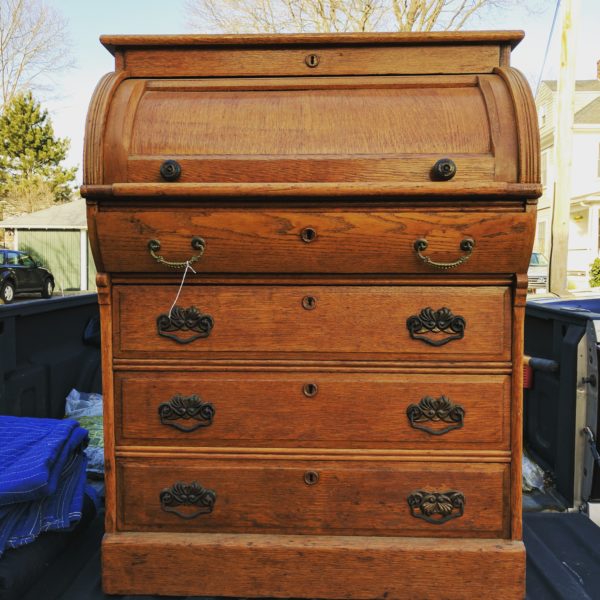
(284, 16)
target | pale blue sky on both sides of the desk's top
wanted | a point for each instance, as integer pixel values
(88, 19)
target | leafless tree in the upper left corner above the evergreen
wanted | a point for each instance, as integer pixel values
(33, 45)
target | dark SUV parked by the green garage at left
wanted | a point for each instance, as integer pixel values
(20, 273)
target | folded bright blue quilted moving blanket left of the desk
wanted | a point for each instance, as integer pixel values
(42, 477)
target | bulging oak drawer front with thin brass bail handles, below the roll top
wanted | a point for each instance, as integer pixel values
(315, 241)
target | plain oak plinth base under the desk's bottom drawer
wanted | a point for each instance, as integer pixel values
(354, 567)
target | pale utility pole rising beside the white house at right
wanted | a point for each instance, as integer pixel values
(563, 145)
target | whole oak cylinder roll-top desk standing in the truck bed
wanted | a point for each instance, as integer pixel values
(329, 406)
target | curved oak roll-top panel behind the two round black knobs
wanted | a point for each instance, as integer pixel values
(278, 130)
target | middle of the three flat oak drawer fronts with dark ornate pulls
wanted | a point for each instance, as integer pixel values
(470, 412)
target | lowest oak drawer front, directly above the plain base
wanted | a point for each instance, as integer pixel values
(285, 496)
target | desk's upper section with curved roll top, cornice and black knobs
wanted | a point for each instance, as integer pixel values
(192, 115)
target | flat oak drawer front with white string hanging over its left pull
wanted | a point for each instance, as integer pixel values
(311, 322)
